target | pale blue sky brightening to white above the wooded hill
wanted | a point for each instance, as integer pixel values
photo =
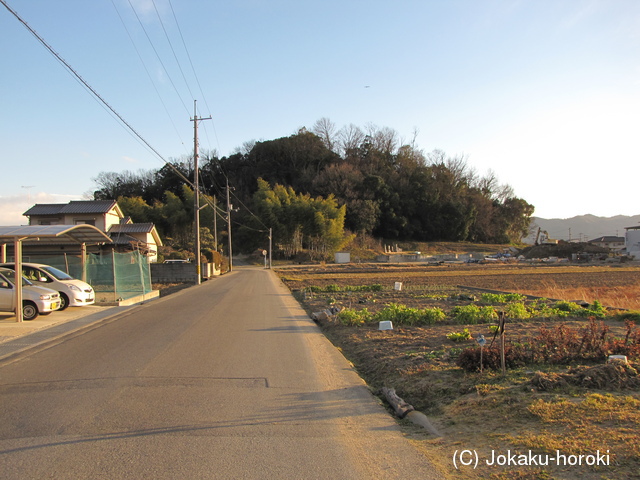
(543, 93)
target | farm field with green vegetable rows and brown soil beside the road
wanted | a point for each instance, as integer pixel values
(547, 403)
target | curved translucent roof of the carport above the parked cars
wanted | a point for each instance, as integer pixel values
(59, 234)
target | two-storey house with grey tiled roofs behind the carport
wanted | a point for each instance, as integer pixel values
(104, 214)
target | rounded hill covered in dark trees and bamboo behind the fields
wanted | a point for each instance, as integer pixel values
(374, 184)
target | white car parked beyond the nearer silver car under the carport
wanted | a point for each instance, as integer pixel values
(73, 292)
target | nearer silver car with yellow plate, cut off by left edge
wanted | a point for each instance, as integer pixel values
(35, 300)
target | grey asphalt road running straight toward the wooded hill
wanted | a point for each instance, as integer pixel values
(229, 379)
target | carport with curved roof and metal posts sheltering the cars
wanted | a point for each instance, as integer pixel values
(56, 234)
